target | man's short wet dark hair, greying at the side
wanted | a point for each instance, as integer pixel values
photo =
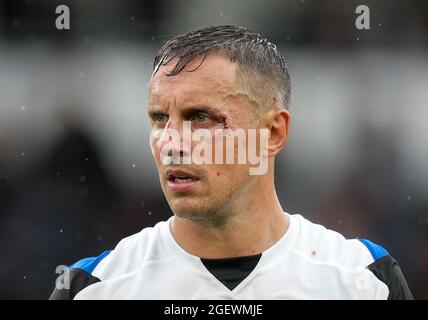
(262, 68)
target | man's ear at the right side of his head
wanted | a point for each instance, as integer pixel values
(278, 123)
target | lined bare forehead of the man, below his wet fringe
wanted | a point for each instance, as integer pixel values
(213, 80)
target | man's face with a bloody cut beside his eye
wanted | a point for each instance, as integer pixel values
(210, 98)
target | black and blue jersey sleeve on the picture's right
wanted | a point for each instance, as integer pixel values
(387, 270)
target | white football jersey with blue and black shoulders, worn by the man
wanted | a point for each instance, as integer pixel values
(308, 262)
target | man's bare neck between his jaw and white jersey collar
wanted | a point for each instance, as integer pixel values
(256, 223)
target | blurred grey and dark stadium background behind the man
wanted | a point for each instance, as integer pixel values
(76, 171)
